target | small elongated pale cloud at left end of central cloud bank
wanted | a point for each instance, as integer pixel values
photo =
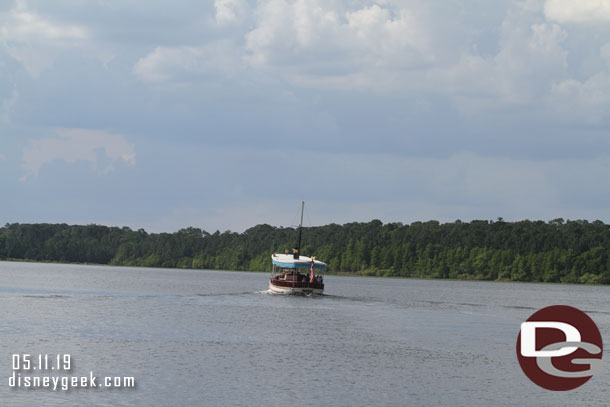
(187, 63)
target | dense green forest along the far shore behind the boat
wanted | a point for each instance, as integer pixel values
(555, 251)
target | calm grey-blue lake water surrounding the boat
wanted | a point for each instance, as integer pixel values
(207, 338)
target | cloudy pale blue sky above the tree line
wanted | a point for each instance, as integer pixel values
(226, 114)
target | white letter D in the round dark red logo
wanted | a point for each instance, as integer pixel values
(528, 338)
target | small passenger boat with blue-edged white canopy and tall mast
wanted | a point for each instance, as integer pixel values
(294, 273)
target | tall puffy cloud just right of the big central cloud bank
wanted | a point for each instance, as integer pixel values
(530, 58)
